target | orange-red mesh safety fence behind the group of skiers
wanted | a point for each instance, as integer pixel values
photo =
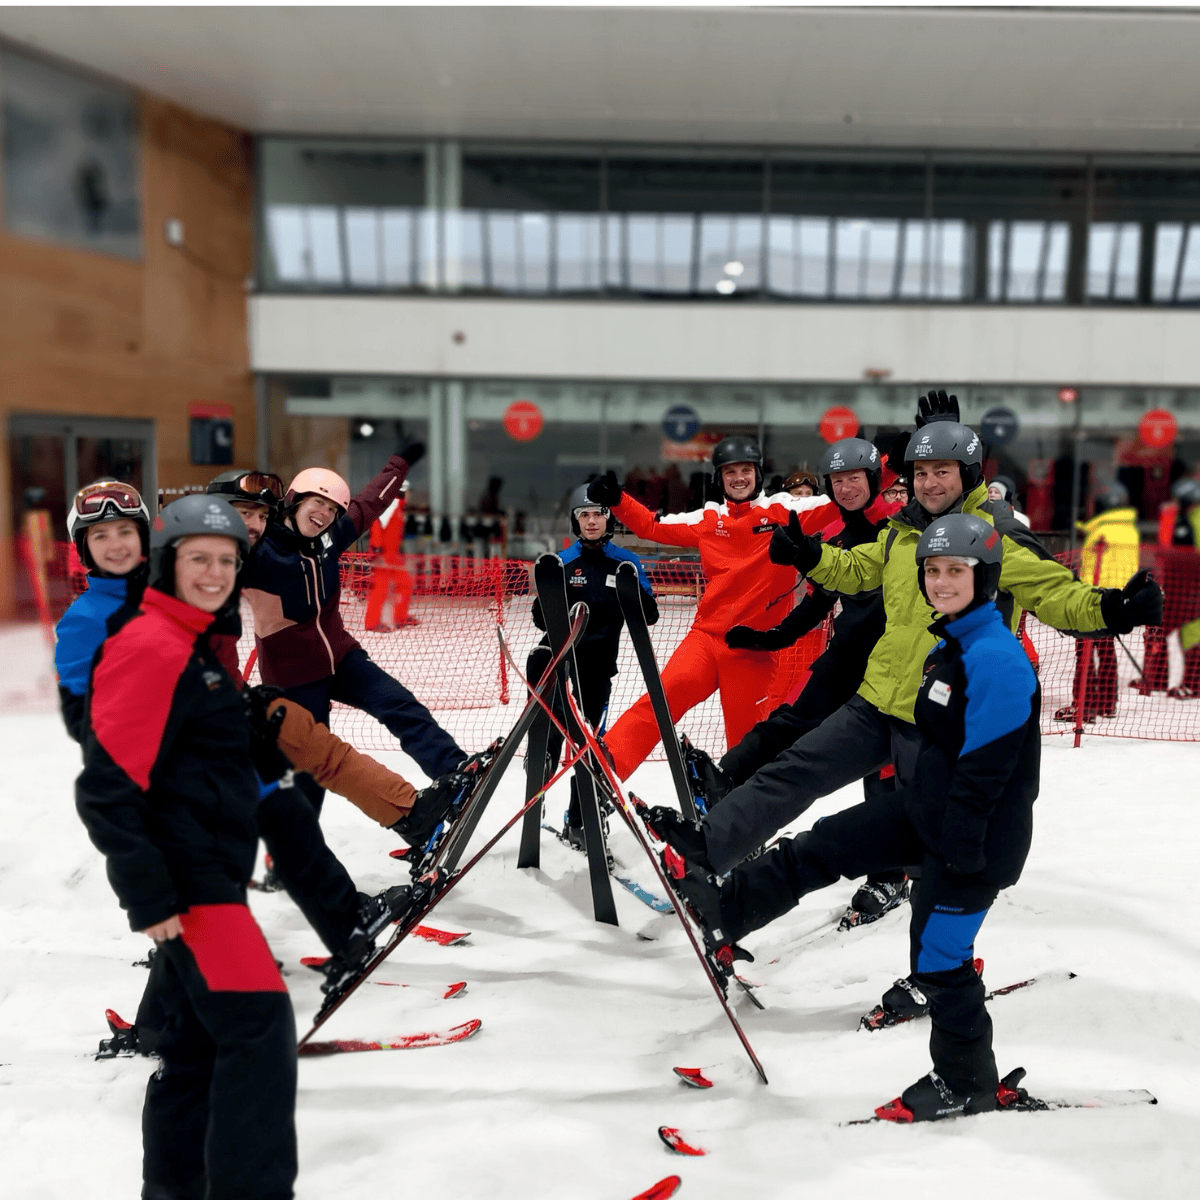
(1143, 686)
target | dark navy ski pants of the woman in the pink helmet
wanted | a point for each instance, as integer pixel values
(363, 685)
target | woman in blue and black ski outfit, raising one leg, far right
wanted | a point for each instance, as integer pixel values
(967, 820)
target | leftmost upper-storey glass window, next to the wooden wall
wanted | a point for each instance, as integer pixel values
(345, 214)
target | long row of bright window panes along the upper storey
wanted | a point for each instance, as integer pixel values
(698, 255)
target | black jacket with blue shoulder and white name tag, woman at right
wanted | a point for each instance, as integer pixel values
(977, 773)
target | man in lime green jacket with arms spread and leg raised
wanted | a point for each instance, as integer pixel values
(877, 727)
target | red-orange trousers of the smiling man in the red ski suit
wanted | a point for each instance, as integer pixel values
(701, 665)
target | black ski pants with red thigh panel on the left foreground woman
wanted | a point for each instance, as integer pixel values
(219, 1121)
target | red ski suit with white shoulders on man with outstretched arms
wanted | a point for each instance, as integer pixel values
(743, 587)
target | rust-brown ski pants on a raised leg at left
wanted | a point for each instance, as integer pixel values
(309, 746)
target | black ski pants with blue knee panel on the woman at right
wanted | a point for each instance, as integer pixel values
(947, 913)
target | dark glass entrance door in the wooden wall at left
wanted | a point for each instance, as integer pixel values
(52, 458)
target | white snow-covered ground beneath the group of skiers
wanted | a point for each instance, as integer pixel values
(561, 1094)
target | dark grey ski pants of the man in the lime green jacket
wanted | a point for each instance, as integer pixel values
(854, 742)
